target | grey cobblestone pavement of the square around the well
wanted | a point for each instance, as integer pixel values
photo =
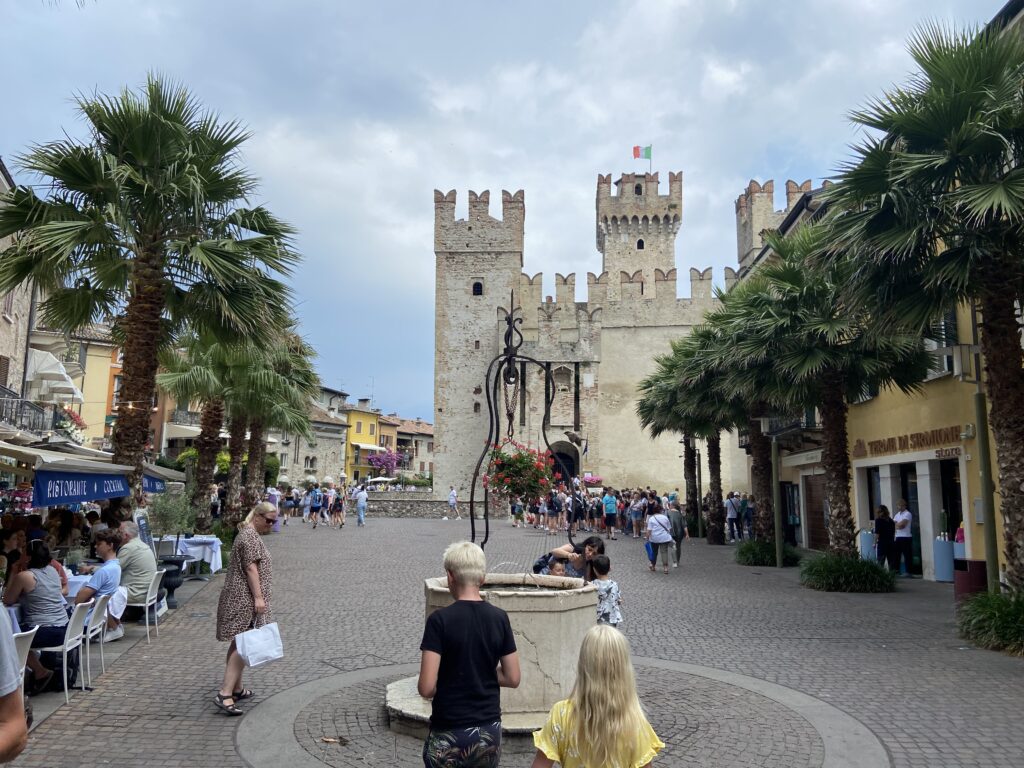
(353, 601)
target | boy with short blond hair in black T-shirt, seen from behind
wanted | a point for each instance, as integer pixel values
(468, 654)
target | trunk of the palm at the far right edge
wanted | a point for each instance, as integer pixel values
(1001, 345)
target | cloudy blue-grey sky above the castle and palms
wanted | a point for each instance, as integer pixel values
(361, 110)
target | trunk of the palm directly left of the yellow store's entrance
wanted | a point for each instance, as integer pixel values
(836, 461)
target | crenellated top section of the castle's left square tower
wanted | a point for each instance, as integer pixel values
(480, 232)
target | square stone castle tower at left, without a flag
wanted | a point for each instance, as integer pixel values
(479, 263)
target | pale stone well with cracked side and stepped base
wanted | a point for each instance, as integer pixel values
(549, 618)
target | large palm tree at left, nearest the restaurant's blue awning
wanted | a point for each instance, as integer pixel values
(144, 223)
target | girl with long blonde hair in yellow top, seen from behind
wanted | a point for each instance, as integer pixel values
(602, 724)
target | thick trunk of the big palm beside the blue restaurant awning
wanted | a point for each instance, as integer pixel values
(139, 371)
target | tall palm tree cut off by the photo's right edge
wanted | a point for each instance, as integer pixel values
(934, 202)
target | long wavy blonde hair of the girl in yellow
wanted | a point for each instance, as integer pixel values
(609, 717)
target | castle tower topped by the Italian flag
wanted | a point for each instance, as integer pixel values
(636, 229)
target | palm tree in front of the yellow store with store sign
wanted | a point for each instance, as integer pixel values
(825, 352)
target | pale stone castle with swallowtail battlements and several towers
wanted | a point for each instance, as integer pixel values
(598, 351)
